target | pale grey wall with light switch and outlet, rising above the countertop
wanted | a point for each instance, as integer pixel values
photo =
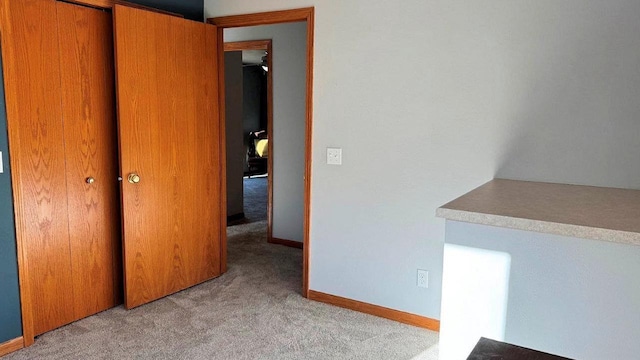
(430, 99)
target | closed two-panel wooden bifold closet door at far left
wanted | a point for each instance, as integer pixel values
(60, 109)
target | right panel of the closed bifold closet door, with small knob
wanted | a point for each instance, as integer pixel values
(88, 106)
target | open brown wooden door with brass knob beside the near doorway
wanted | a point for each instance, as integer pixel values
(167, 93)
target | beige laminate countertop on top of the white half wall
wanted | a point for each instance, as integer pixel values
(588, 212)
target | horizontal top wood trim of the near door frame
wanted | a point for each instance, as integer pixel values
(264, 18)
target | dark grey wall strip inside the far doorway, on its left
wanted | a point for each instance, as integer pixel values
(234, 137)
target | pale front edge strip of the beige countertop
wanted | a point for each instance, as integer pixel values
(570, 230)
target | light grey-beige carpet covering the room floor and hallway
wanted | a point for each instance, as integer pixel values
(254, 311)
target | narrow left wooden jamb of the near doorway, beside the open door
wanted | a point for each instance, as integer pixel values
(223, 152)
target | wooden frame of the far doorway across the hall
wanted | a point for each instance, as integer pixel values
(266, 45)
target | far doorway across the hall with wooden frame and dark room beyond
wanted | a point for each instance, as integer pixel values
(249, 129)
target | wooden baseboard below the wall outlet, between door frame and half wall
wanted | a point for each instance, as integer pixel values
(391, 314)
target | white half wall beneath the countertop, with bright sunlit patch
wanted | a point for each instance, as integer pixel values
(567, 296)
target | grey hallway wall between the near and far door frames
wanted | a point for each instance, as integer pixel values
(289, 71)
